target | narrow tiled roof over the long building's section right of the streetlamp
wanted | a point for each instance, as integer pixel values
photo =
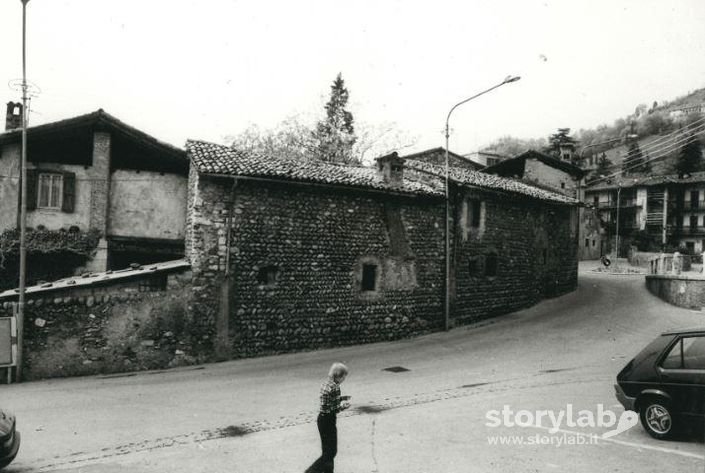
(491, 182)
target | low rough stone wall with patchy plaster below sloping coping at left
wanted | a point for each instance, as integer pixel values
(136, 324)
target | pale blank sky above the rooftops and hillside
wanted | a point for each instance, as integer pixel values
(180, 69)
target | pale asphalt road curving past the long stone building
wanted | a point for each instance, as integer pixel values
(258, 415)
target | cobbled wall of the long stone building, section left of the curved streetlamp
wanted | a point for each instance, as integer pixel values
(302, 260)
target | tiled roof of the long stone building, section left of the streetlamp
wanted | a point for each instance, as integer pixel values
(211, 158)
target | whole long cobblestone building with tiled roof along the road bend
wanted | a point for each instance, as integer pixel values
(290, 255)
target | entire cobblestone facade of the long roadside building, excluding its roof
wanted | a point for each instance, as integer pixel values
(300, 258)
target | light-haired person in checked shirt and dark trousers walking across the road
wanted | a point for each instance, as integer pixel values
(331, 403)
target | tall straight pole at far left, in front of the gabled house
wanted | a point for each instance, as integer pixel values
(23, 194)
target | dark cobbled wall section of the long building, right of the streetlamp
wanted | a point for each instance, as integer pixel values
(512, 255)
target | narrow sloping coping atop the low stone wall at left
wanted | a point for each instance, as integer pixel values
(90, 279)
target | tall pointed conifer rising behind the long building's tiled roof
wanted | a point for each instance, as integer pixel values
(334, 136)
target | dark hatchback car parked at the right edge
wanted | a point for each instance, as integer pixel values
(665, 383)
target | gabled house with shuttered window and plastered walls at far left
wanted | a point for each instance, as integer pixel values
(95, 173)
